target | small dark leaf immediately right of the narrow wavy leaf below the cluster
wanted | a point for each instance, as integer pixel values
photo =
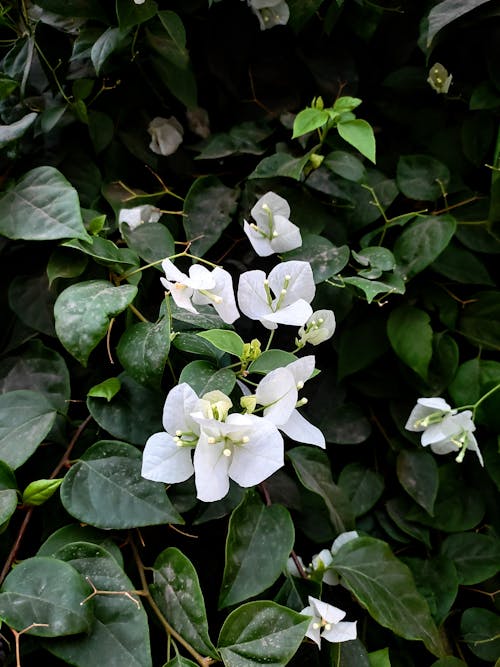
(361, 486)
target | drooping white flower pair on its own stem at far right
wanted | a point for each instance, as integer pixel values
(443, 428)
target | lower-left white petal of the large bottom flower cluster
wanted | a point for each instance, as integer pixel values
(164, 461)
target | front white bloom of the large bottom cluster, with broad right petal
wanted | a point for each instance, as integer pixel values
(244, 448)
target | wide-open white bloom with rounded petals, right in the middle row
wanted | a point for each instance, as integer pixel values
(292, 284)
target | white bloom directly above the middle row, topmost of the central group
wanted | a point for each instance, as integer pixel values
(272, 231)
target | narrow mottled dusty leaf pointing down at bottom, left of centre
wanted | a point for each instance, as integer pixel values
(177, 592)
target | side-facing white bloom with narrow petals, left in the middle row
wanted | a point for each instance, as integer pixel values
(201, 287)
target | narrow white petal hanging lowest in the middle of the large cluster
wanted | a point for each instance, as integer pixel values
(211, 470)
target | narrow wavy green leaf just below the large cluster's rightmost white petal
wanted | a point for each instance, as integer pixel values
(313, 469)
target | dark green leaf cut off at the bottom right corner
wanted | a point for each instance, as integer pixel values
(481, 632)
